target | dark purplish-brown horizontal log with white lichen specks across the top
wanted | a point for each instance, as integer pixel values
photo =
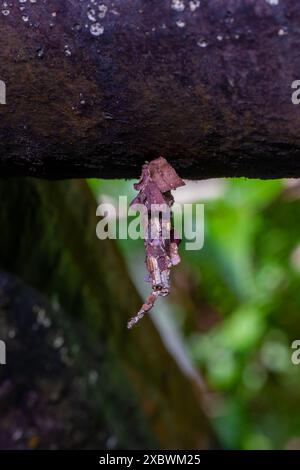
(210, 89)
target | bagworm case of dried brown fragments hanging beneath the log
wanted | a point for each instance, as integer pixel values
(161, 243)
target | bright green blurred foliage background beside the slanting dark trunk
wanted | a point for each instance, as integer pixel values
(234, 309)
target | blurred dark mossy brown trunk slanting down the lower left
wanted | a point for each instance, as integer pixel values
(140, 398)
